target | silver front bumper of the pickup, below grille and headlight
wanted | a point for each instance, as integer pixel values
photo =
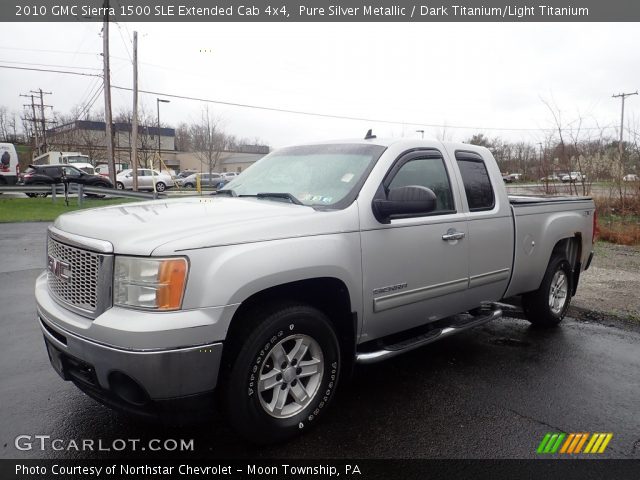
(137, 377)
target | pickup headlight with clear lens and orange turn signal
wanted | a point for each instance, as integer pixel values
(153, 283)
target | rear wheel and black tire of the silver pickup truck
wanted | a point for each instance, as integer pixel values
(537, 305)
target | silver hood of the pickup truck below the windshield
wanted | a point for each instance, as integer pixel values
(165, 227)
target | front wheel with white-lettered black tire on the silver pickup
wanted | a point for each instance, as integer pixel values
(252, 353)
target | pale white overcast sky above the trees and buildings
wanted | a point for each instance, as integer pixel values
(481, 75)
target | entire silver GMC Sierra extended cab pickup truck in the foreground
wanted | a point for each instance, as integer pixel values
(318, 257)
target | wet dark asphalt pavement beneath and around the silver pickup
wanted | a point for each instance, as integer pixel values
(492, 392)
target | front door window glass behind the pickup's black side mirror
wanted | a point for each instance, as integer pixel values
(430, 173)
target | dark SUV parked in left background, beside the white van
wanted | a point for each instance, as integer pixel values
(49, 174)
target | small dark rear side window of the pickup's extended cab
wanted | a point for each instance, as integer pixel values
(476, 181)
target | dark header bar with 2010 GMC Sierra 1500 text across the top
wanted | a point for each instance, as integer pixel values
(320, 11)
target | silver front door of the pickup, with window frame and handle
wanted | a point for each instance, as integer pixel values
(415, 269)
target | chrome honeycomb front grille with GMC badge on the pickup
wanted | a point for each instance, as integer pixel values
(76, 282)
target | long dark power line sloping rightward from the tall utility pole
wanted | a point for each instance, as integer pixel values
(340, 117)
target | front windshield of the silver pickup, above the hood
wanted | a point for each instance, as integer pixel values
(318, 175)
